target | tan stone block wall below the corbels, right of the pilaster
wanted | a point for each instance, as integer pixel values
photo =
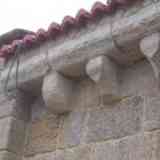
(128, 129)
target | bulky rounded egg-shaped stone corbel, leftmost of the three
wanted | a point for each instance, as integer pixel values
(57, 92)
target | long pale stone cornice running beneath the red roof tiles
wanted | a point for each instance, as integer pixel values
(70, 57)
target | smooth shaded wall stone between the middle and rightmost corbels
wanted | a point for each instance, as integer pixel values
(138, 79)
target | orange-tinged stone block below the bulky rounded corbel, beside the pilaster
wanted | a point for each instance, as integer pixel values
(42, 133)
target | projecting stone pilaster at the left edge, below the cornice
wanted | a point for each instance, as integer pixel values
(14, 117)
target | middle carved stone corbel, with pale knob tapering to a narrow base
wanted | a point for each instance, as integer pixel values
(104, 73)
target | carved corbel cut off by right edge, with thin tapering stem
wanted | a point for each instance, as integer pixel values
(150, 47)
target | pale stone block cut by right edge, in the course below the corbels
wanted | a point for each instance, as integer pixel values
(152, 113)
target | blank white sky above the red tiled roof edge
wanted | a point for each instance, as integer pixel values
(34, 14)
